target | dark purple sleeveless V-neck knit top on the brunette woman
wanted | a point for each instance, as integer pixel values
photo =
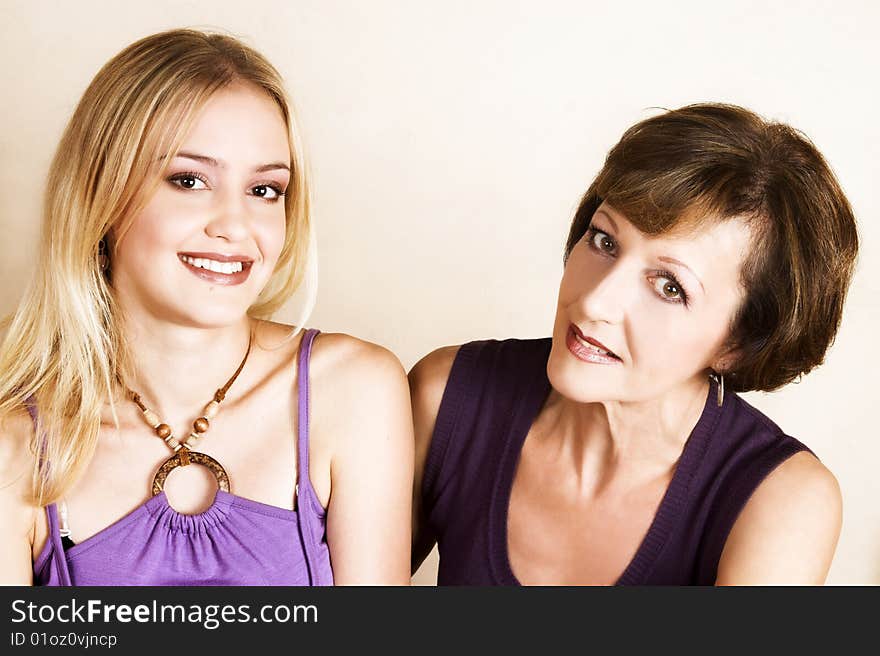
(495, 391)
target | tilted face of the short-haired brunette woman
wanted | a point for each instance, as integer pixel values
(639, 316)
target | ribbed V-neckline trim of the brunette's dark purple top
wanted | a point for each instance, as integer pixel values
(529, 405)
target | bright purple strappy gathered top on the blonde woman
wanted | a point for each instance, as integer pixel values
(236, 541)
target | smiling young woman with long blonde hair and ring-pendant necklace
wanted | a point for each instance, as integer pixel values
(155, 427)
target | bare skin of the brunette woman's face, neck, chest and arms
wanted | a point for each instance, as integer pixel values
(603, 449)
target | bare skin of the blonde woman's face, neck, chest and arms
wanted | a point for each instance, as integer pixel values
(188, 336)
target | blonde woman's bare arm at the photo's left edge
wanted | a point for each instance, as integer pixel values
(16, 512)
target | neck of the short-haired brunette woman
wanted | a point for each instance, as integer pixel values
(639, 439)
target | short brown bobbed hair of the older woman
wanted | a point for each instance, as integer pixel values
(714, 162)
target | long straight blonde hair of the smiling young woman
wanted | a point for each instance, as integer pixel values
(64, 349)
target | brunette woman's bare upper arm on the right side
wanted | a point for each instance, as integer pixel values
(788, 530)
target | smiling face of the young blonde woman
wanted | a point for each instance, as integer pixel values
(206, 243)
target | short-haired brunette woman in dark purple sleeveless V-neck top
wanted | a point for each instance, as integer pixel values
(710, 256)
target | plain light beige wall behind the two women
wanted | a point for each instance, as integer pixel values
(450, 142)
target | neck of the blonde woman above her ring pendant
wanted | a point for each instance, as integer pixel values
(177, 369)
